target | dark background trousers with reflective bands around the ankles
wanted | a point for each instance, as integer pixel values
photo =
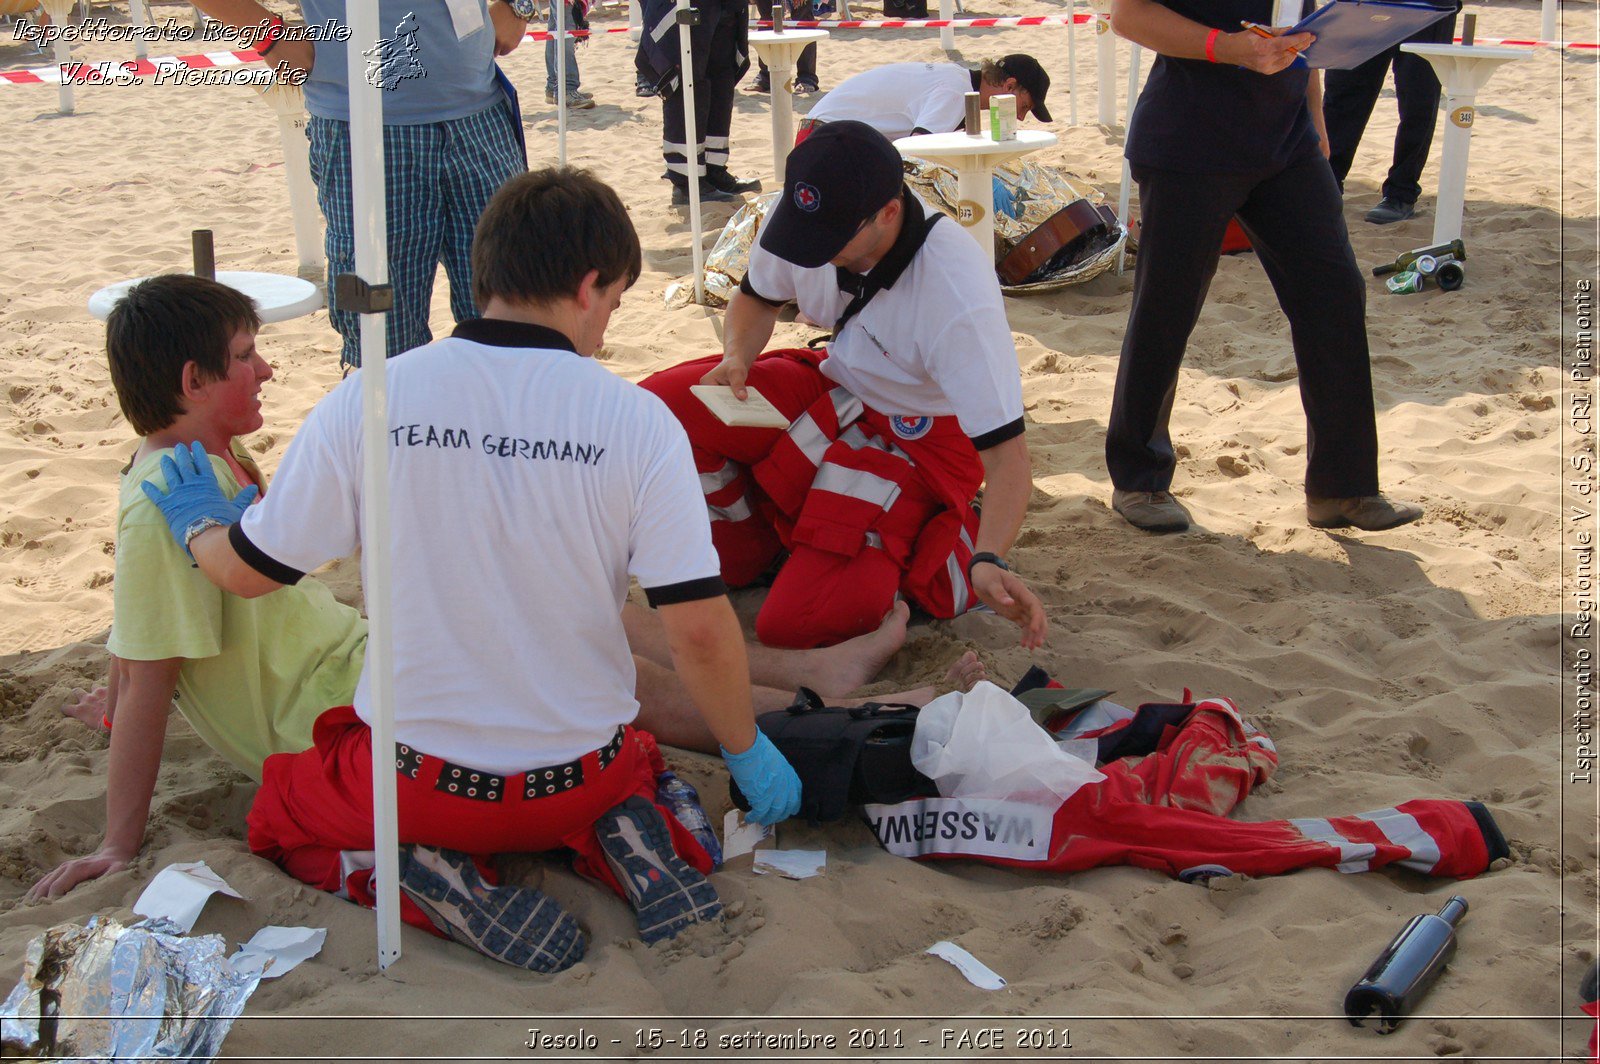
(719, 65)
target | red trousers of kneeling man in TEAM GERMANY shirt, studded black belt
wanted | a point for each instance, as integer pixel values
(316, 806)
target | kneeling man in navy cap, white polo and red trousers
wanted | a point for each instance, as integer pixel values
(916, 404)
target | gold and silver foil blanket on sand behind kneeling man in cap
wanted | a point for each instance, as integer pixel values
(1039, 193)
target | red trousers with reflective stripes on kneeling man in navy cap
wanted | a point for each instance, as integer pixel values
(868, 506)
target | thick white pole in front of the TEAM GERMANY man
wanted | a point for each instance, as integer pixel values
(372, 266)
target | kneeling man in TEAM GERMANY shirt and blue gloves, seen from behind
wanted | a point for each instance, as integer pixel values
(527, 486)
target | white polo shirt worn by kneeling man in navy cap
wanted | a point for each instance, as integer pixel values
(935, 343)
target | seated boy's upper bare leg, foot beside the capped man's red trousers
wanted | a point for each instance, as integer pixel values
(830, 671)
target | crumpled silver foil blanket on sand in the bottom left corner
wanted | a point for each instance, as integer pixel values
(106, 991)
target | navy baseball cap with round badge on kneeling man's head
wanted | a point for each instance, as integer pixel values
(838, 178)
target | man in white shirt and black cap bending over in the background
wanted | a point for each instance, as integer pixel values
(905, 98)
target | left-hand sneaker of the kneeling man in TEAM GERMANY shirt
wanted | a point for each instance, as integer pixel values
(516, 926)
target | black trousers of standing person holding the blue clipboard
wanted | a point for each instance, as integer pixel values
(1295, 222)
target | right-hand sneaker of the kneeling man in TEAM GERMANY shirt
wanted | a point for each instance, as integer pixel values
(666, 894)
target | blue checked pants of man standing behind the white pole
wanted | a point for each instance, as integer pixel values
(439, 178)
